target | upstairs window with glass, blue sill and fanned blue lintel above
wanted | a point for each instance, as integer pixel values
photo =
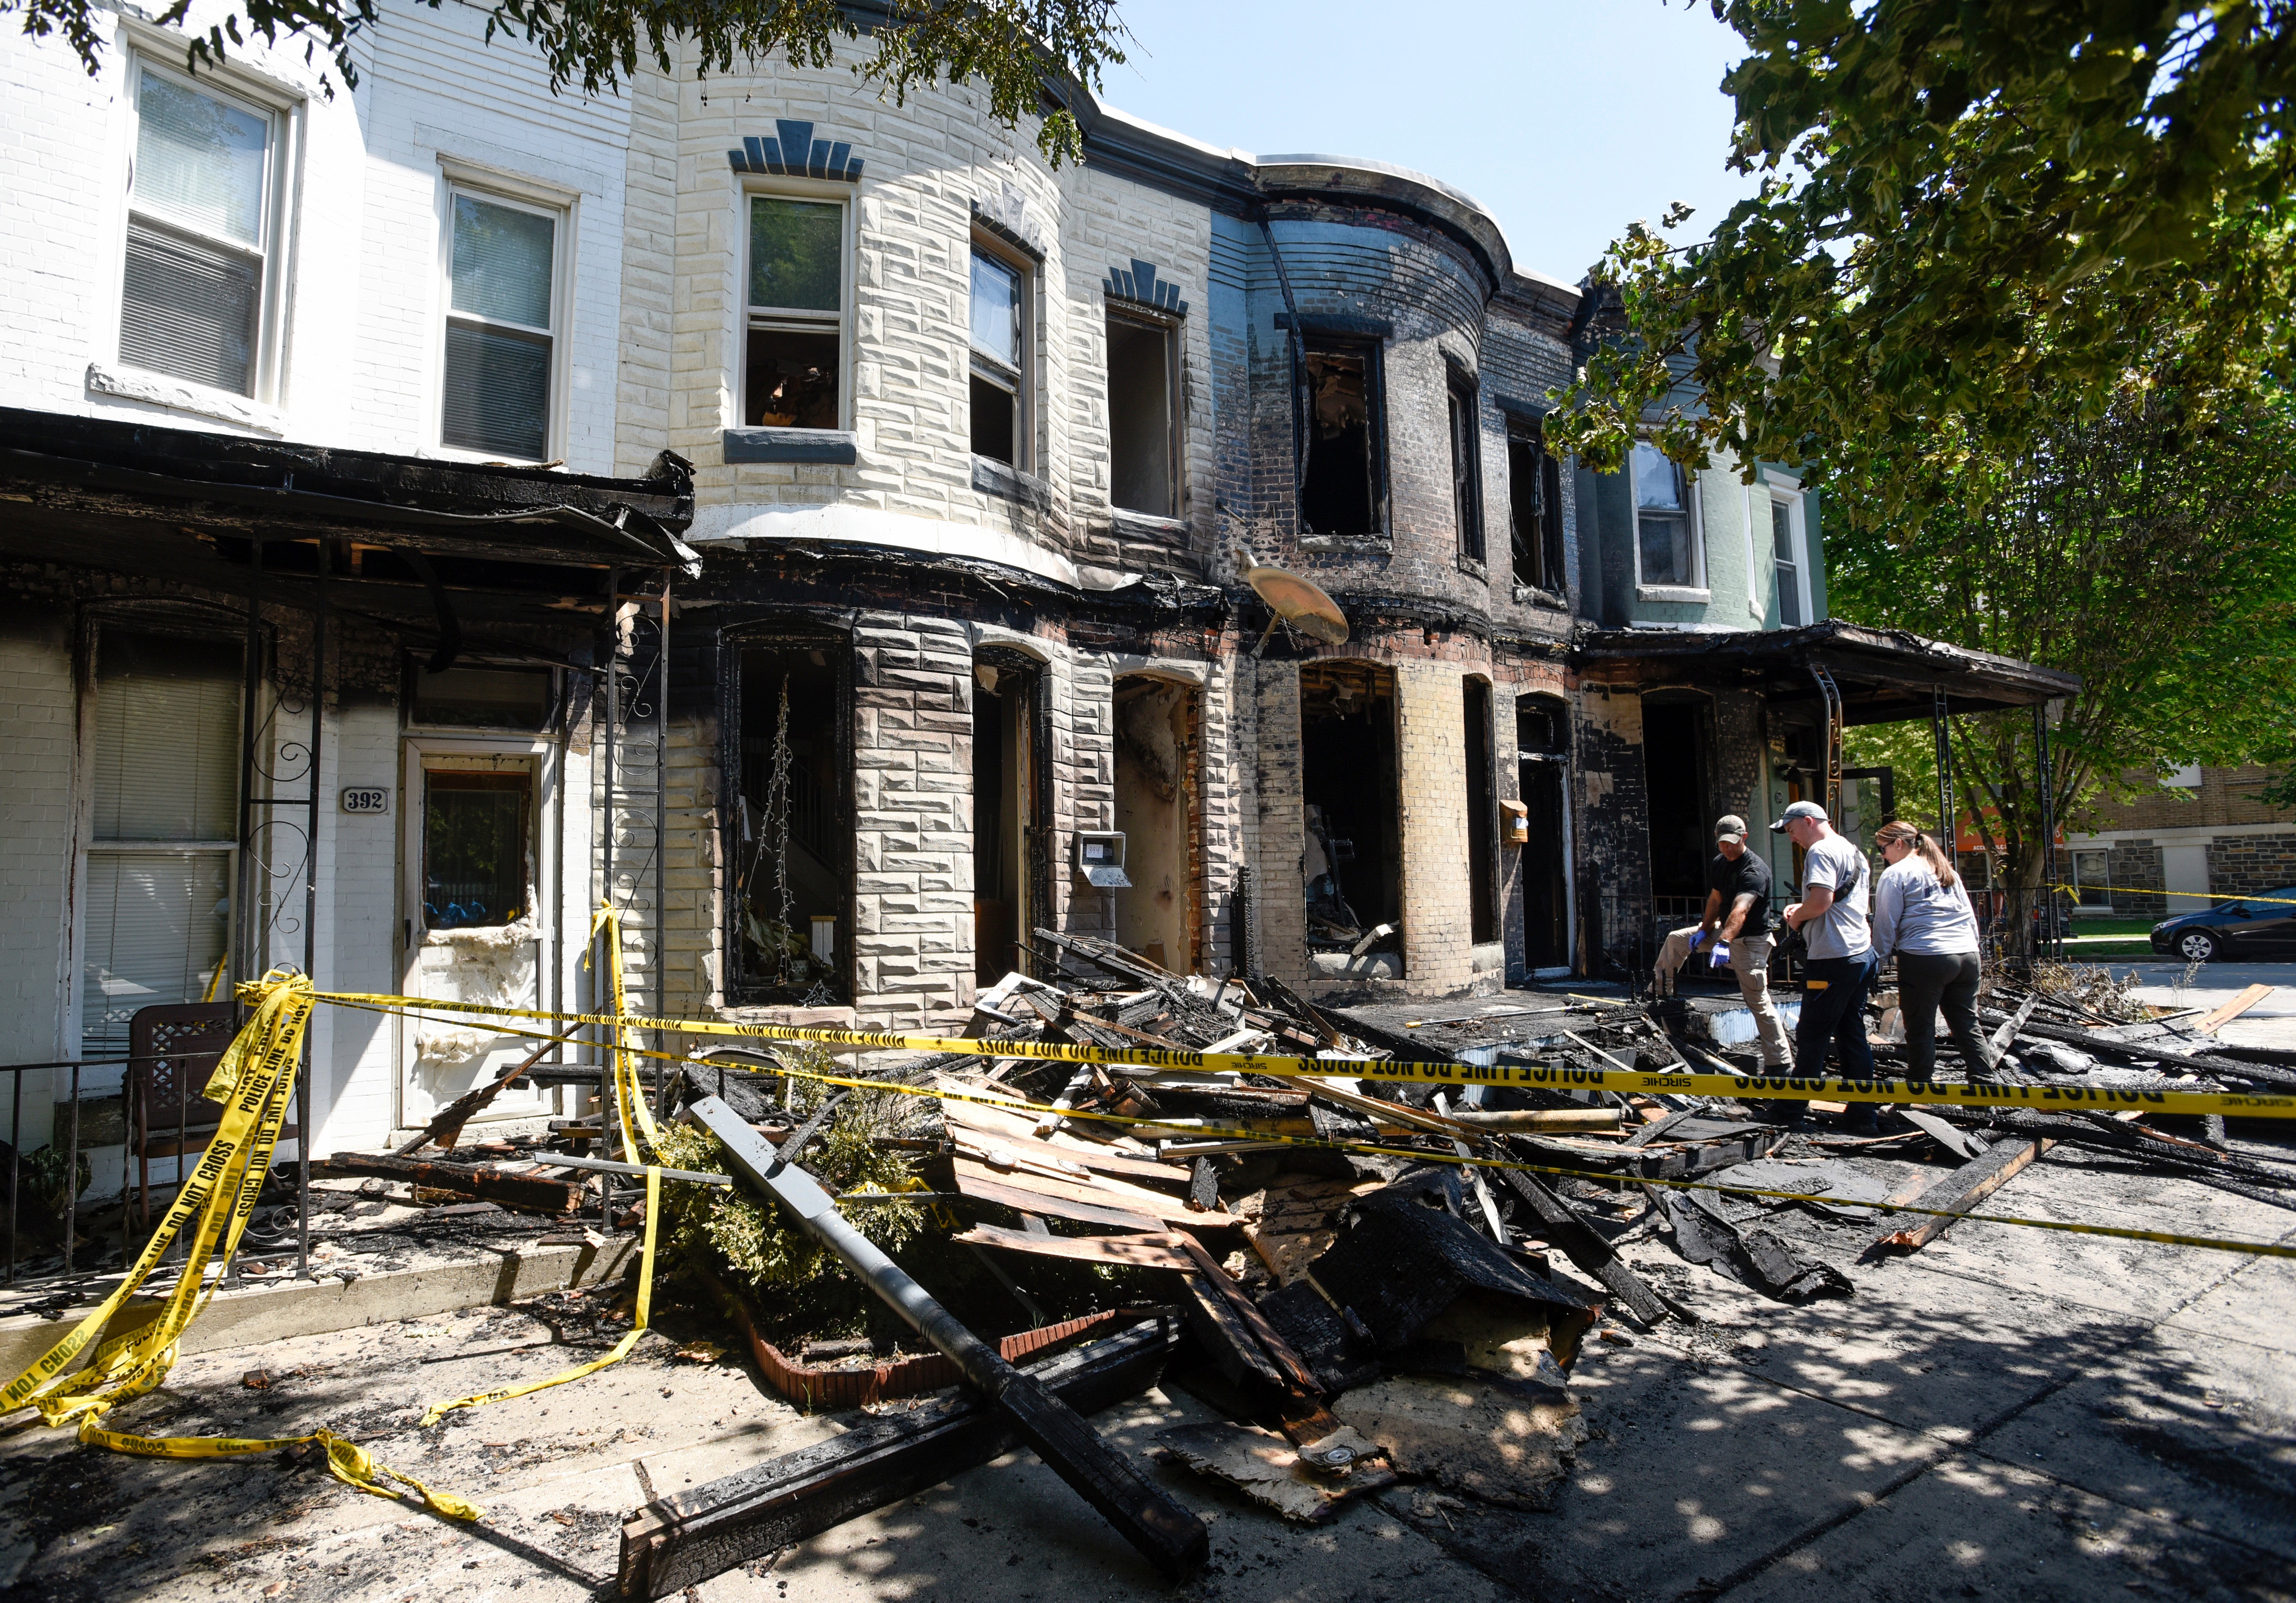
(796, 313)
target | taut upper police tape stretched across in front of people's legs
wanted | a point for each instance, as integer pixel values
(1507, 1076)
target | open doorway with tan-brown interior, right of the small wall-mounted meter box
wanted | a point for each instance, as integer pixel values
(1156, 807)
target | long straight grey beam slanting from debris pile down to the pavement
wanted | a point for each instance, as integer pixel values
(1142, 1512)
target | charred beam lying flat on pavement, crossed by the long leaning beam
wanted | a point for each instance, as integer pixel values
(685, 1540)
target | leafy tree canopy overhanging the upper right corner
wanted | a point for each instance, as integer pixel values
(1971, 219)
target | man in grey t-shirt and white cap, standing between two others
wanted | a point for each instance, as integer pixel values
(1843, 963)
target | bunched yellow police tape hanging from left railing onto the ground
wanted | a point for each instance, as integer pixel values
(254, 1083)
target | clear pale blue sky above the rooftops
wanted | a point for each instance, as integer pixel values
(1567, 121)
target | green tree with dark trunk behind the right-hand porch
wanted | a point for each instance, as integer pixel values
(2148, 555)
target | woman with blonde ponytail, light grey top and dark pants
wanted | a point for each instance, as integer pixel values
(1923, 915)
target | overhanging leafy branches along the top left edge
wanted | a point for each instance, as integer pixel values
(1011, 47)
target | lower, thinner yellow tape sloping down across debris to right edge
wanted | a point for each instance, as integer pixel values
(1349, 1067)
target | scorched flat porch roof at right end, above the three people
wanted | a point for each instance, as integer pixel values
(1884, 674)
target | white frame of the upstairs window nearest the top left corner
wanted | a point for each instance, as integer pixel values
(150, 49)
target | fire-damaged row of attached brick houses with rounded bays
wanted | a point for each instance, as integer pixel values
(835, 539)
